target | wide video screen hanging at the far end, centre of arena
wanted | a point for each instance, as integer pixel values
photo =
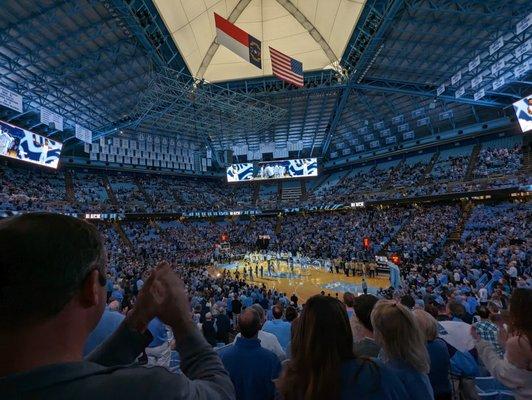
(284, 169)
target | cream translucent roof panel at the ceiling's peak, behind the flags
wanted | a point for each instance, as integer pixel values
(315, 32)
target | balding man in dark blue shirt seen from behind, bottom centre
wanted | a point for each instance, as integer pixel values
(252, 368)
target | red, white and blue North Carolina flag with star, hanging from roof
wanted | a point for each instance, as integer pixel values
(238, 41)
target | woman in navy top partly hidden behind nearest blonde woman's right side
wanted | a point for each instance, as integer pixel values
(440, 363)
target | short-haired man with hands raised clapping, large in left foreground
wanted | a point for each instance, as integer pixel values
(52, 297)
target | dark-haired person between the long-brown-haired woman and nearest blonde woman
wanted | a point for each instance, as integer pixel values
(364, 341)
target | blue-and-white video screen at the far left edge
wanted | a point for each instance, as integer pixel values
(27, 146)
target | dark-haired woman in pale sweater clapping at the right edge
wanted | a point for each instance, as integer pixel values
(515, 370)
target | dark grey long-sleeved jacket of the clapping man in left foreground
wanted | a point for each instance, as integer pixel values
(105, 374)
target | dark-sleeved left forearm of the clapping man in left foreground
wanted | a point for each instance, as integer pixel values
(121, 348)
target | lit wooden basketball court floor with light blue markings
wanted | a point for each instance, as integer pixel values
(310, 281)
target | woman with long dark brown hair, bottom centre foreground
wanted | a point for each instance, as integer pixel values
(323, 365)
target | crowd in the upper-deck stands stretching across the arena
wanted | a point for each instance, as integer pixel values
(28, 189)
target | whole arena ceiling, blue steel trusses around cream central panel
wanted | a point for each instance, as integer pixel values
(92, 61)
